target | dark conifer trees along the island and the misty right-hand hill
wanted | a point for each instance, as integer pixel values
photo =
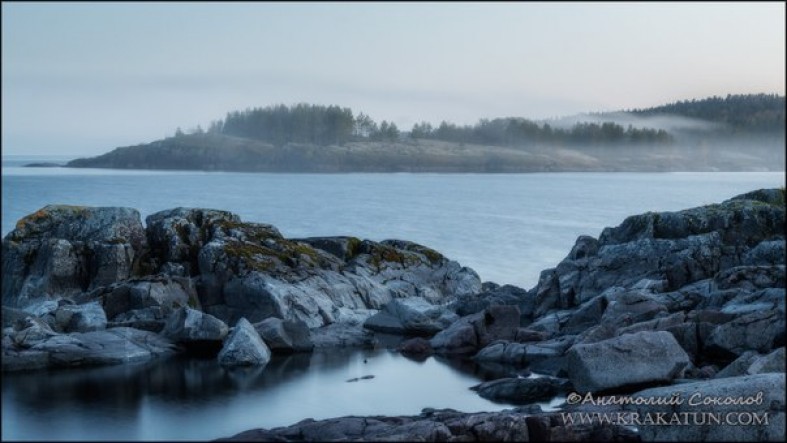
(333, 125)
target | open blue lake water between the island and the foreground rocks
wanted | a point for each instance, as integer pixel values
(508, 227)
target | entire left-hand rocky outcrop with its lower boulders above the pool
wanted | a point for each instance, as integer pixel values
(194, 272)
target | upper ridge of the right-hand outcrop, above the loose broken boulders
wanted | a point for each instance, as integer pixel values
(666, 251)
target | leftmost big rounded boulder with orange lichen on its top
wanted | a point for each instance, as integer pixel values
(64, 250)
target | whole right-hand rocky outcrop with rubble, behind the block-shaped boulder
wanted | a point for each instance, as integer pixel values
(712, 277)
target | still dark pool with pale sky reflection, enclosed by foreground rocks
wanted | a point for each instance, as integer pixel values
(188, 399)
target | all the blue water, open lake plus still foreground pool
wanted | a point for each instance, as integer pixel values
(508, 227)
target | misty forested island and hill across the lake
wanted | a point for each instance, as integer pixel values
(734, 133)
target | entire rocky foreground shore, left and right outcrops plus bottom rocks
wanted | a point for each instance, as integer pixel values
(686, 306)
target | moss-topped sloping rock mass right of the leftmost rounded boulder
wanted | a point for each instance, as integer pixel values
(250, 270)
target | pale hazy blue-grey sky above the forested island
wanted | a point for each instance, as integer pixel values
(84, 78)
